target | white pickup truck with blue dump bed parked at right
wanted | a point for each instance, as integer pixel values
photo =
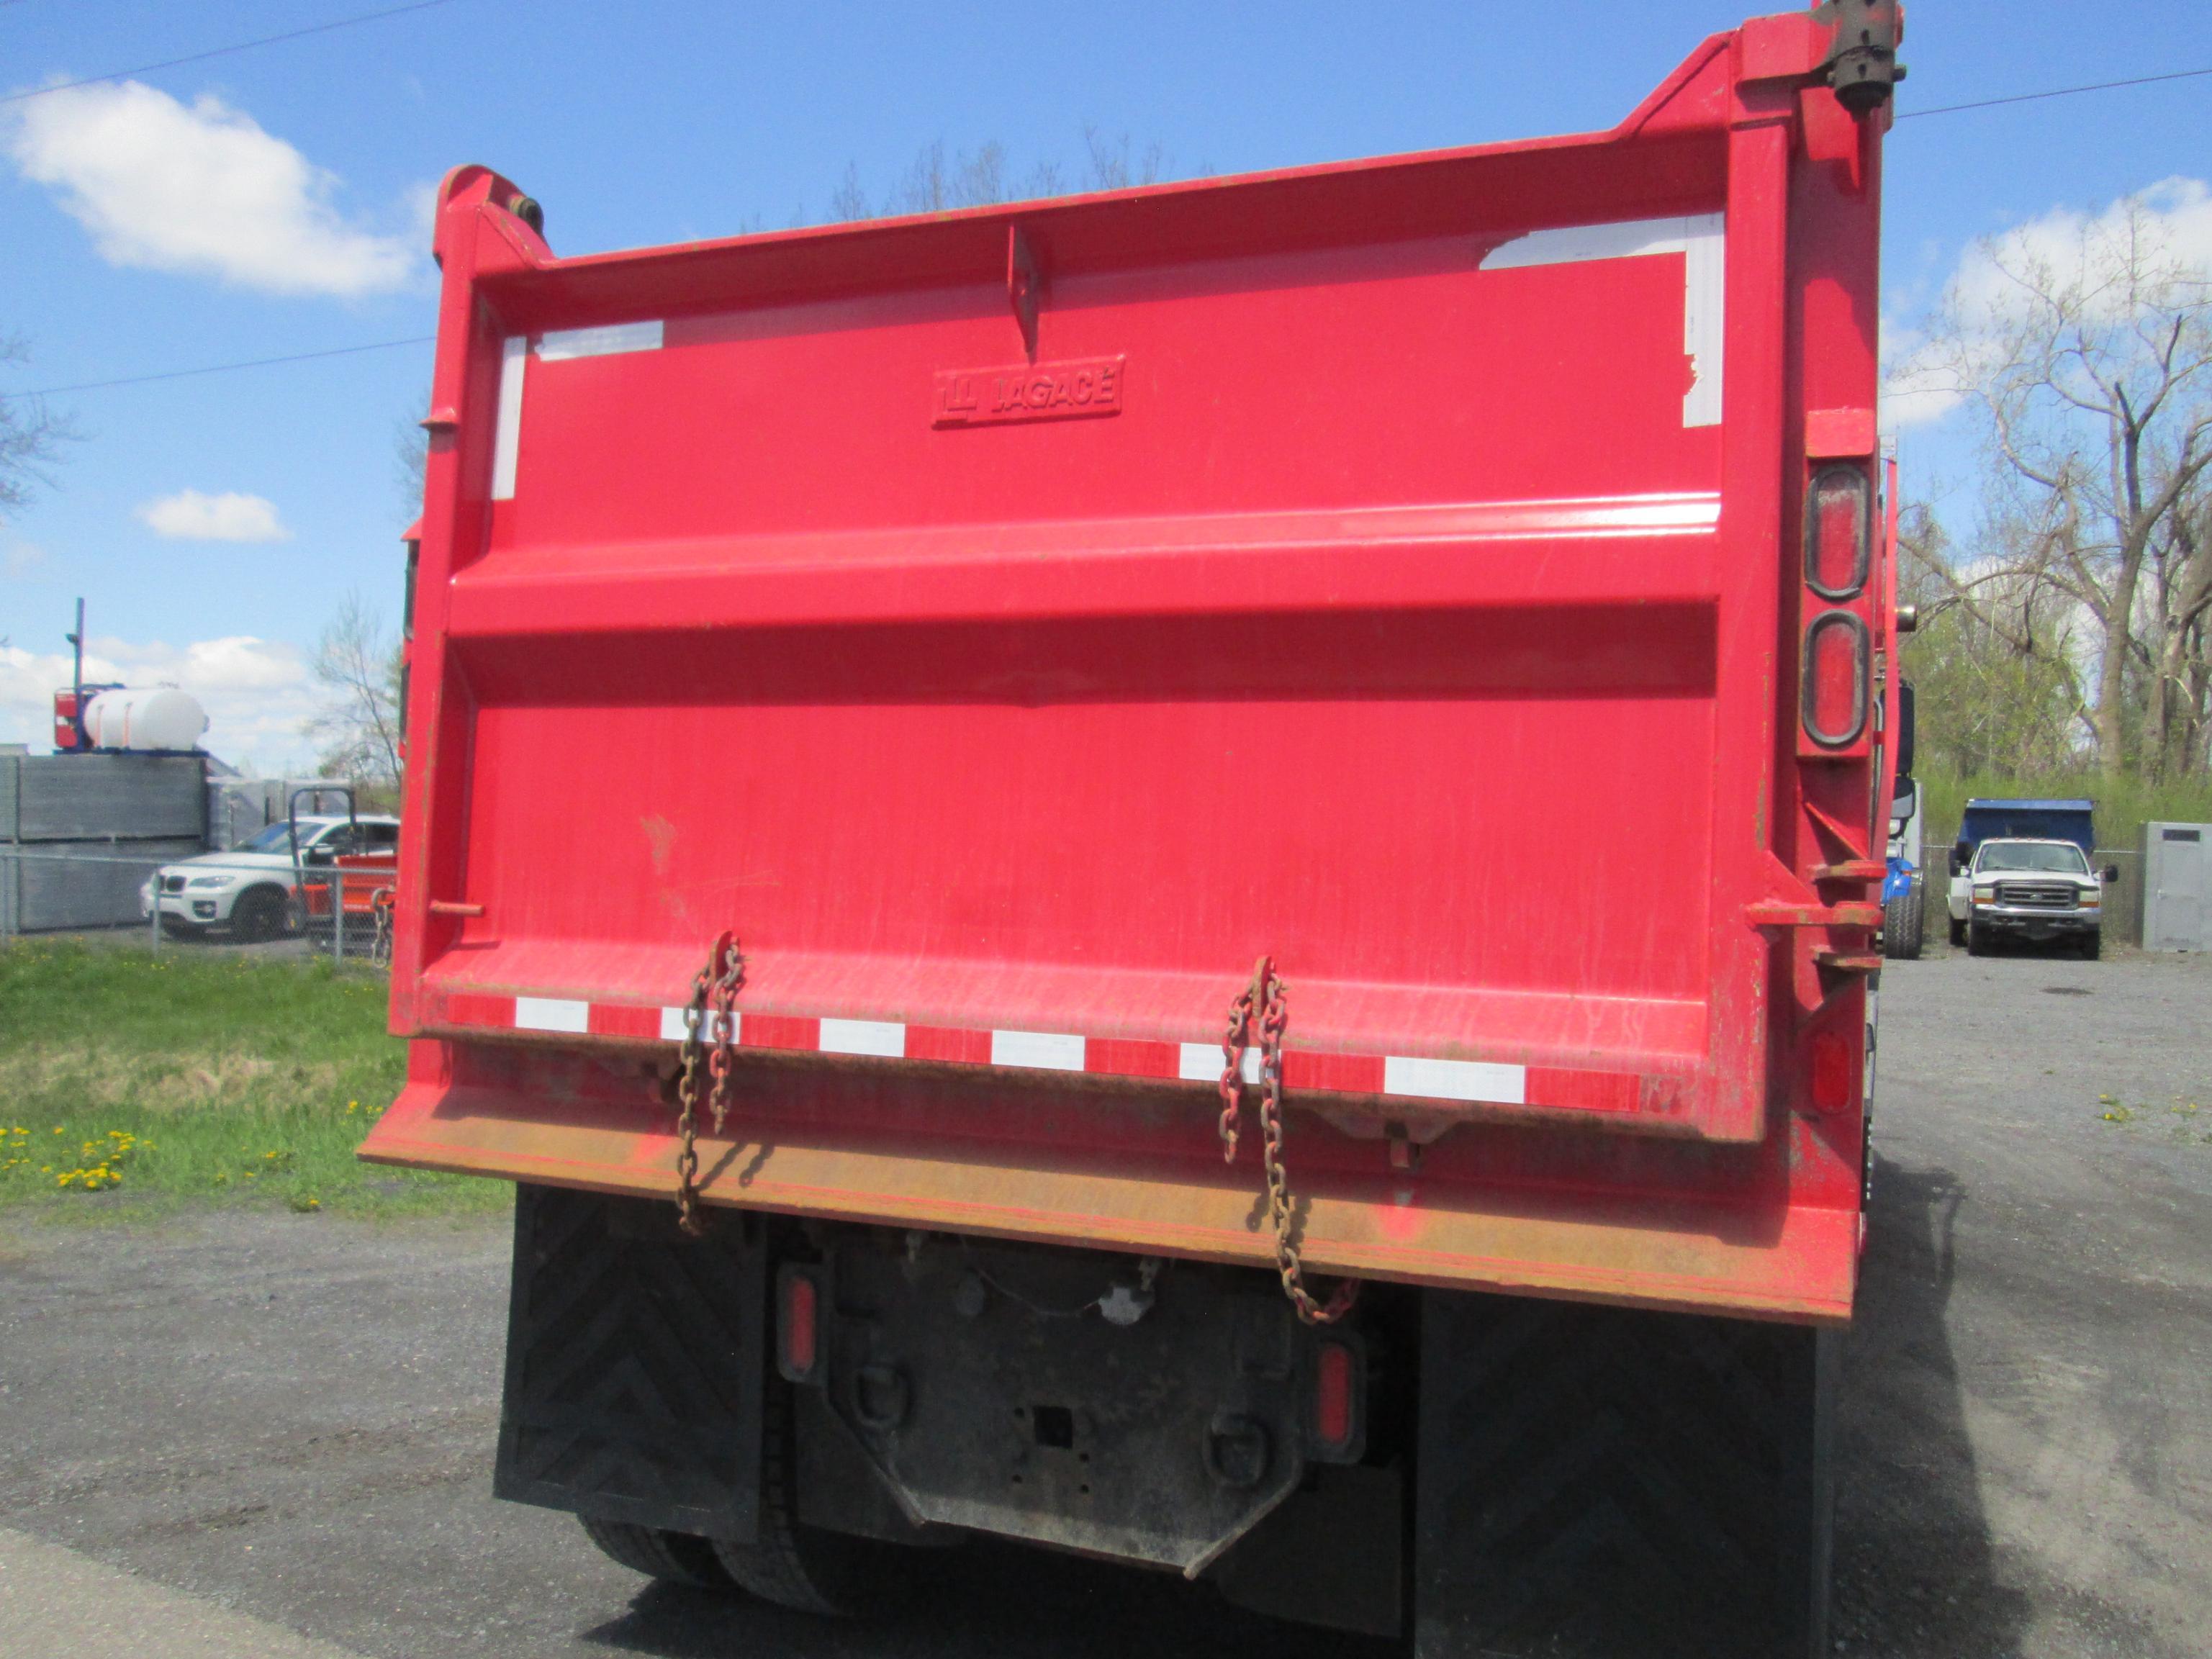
(2023, 870)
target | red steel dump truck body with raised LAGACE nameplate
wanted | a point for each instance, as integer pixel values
(1457, 578)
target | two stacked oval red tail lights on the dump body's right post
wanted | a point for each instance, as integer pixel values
(1837, 667)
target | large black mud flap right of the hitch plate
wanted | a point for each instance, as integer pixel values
(1598, 1481)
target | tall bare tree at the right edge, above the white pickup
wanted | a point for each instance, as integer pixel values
(2089, 359)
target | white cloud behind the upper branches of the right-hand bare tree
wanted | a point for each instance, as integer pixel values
(2162, 229)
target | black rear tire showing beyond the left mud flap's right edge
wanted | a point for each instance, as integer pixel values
(804, 1567)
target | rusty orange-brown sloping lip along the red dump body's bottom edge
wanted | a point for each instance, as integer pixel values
(1589, 1251)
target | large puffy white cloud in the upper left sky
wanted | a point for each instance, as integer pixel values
(202, 191)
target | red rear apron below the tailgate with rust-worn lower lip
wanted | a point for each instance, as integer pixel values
(1142, 1173)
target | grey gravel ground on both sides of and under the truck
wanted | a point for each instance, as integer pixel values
(291, 1417)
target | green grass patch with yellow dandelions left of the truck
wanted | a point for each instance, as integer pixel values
(147, 1081)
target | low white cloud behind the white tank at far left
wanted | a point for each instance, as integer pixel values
(258, 691)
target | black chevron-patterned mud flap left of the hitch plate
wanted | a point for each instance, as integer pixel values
(634, 1366)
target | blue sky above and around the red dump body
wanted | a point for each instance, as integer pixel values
(654, 123)
